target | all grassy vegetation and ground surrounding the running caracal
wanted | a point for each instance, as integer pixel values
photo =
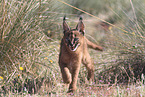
(30, 33)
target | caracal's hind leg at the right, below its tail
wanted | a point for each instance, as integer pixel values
(89, 65)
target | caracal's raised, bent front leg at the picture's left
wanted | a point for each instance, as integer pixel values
(65, 73)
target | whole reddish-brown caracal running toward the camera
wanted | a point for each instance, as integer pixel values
(73, 52)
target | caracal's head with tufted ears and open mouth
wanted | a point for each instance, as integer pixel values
(73, 38)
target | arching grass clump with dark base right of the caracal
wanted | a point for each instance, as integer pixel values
(124, 60)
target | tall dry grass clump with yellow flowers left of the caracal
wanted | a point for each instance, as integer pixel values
(23, 43)
